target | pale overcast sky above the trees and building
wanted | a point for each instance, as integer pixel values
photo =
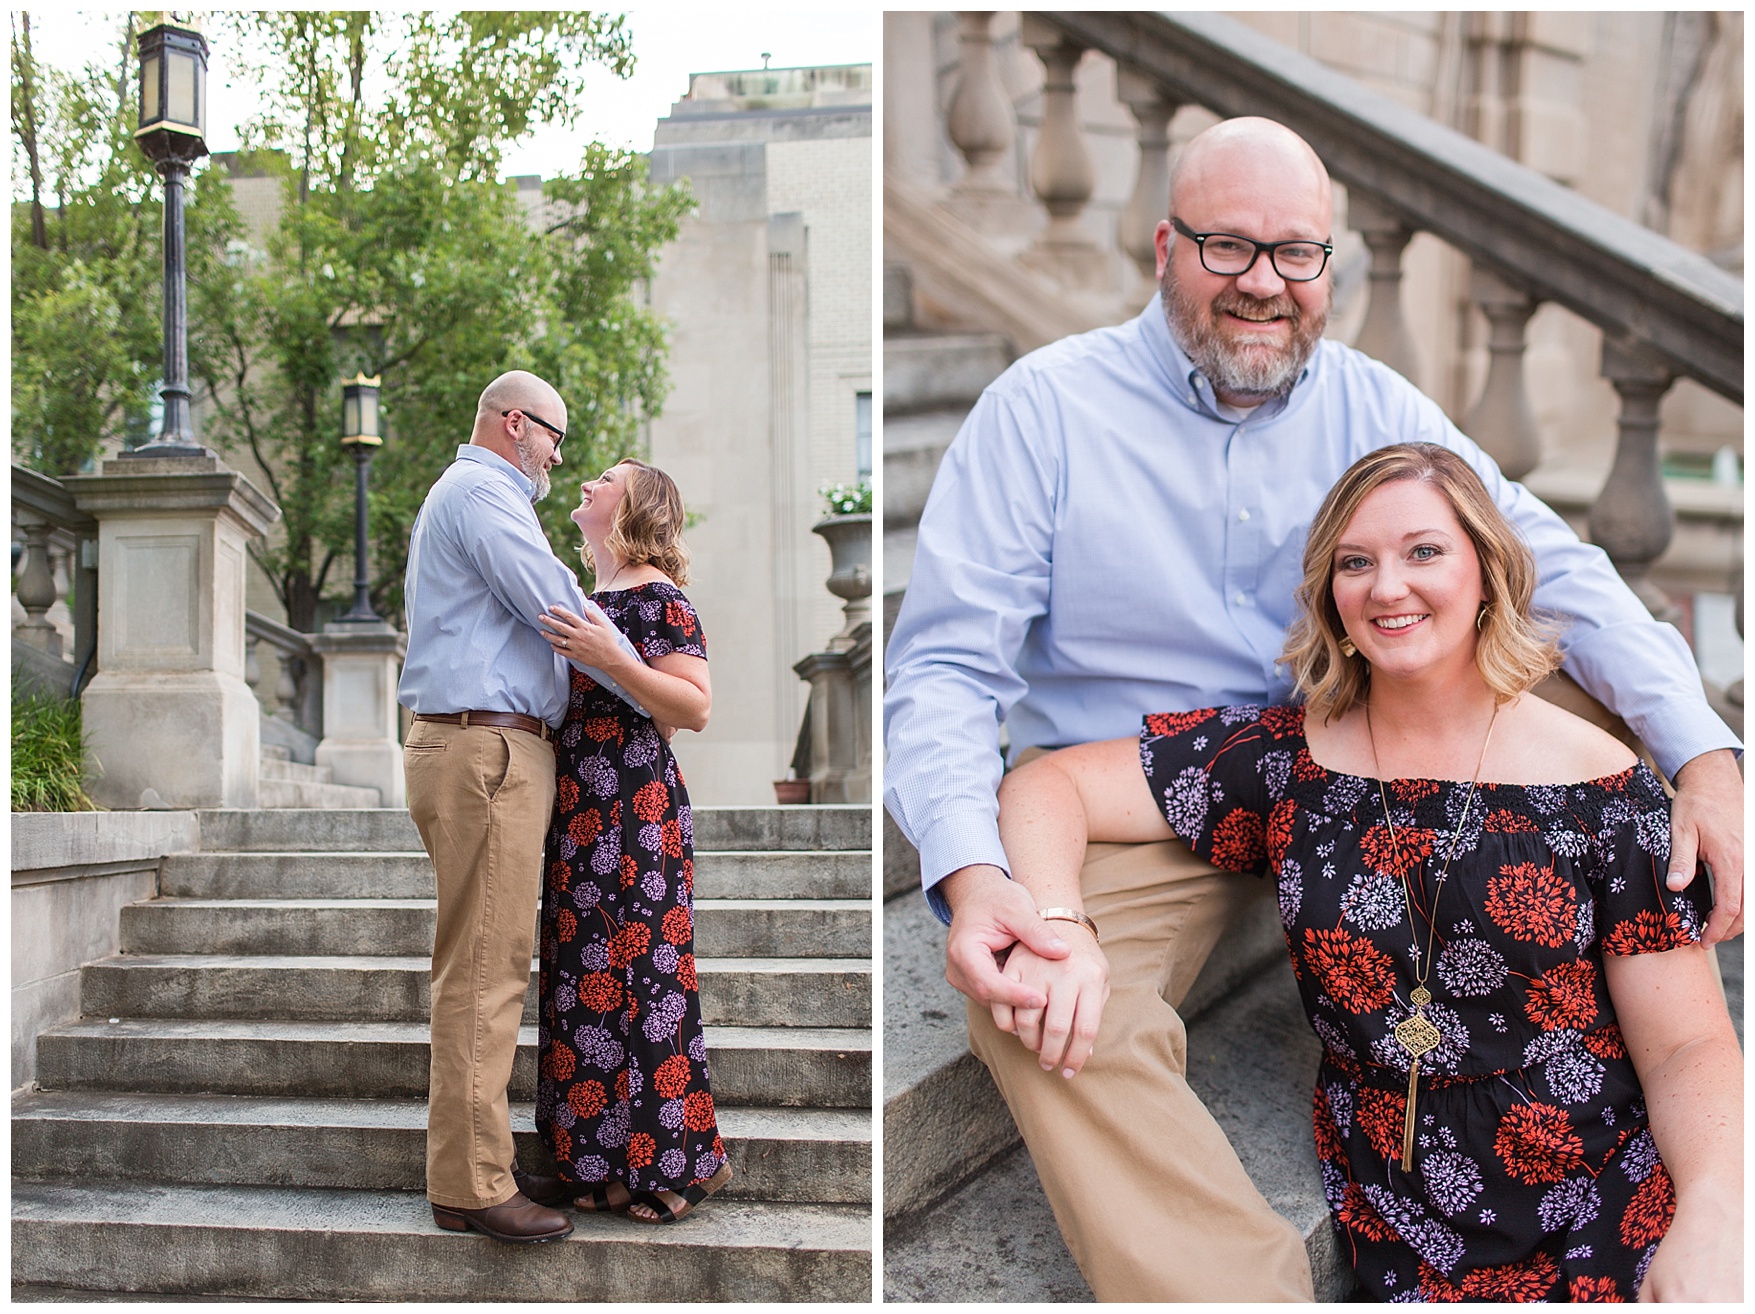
(670, 45)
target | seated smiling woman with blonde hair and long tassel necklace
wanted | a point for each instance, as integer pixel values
(1529, 1089)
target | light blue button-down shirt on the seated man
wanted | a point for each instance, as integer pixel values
(1101, 543)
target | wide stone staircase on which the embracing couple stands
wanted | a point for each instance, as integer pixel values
(243, 1104)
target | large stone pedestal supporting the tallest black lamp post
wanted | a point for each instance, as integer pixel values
(169, 708)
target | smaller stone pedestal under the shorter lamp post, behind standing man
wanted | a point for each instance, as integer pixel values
(362, 664)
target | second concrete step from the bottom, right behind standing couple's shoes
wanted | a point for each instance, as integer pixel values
(784, 1155)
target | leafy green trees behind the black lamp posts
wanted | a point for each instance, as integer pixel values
(396, 255)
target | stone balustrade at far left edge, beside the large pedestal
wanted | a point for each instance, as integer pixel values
(55, 587)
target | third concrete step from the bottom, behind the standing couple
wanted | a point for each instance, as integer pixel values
(752, 1066)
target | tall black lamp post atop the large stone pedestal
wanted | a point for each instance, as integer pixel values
(171, 134)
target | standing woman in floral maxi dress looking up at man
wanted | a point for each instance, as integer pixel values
(622, 1090)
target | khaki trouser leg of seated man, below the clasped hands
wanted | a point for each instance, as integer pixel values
(1149, 1192)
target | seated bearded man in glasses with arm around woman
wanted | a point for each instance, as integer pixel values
(1119, 531)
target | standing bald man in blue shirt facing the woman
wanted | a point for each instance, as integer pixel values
(487, 694)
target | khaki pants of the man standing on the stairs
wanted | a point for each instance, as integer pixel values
(484, 801)
